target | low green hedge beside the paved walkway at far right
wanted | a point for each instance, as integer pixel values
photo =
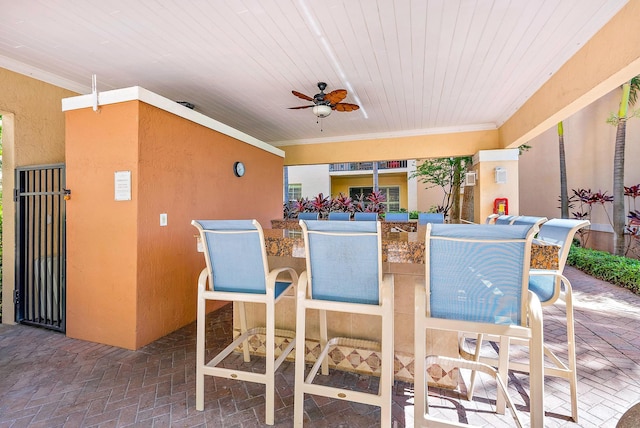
(618, 270)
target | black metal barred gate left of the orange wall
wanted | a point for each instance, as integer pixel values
(40, 246)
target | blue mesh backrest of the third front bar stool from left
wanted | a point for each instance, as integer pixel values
(487, 264)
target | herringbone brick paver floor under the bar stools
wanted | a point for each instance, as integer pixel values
(48, 380)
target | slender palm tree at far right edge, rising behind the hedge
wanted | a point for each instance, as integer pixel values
(629, 95)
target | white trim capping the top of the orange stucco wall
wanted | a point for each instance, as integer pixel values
(139, 93)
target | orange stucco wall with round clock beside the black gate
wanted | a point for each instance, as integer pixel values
(130, 280)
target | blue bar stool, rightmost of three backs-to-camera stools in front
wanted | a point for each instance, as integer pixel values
(476, 281)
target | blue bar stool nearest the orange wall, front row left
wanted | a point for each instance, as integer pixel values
(237, 270)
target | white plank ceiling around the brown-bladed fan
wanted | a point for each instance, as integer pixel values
(414, 66)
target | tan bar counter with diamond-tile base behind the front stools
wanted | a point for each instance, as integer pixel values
(403, 256)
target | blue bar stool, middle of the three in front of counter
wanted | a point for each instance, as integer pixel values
(344, 275)
